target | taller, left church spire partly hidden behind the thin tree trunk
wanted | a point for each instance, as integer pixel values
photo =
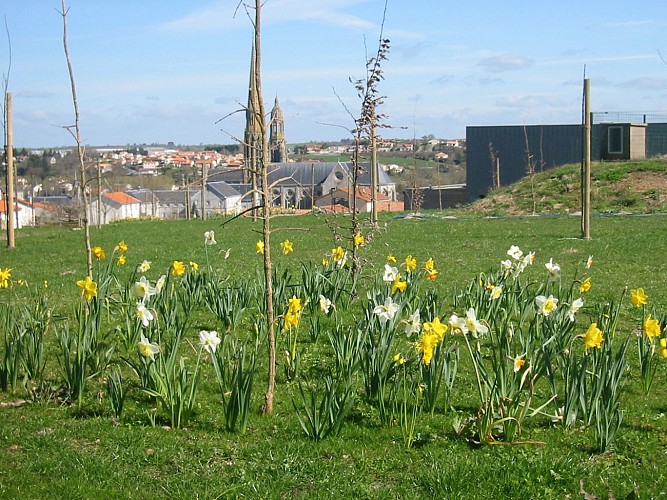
(252, 137)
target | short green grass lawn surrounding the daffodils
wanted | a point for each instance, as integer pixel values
(55, 450)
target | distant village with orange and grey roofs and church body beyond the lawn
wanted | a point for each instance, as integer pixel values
(201, 182)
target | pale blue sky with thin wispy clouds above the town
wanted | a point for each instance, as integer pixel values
(158, 71)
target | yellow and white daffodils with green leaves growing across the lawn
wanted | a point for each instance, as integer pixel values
(535, 341)
